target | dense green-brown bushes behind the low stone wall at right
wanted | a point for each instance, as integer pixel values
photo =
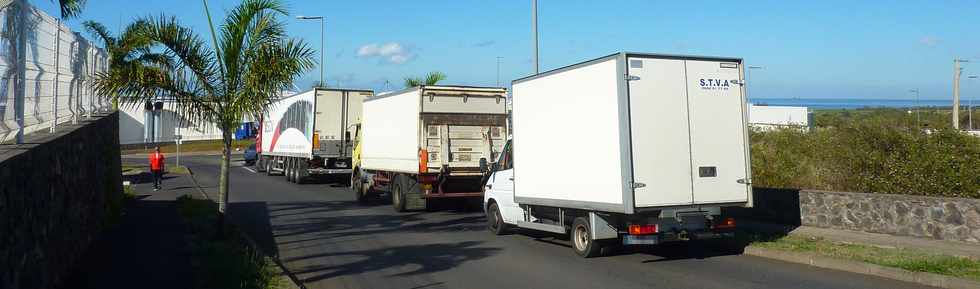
(870, 151)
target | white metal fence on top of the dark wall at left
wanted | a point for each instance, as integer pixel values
(46, 72)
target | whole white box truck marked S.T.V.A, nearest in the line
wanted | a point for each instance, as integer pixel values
(630, 148)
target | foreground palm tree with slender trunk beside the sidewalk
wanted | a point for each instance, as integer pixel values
(251, 61)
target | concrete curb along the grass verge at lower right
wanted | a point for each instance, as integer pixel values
(924, 278)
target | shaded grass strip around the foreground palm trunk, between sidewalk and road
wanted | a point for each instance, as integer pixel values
(229, 262)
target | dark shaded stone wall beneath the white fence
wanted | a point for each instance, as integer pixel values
(57, 192)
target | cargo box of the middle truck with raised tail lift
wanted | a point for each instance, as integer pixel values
(456, 125)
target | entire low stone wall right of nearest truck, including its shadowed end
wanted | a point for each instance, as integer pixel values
(955, 219)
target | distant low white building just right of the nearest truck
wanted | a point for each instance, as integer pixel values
(766, 117)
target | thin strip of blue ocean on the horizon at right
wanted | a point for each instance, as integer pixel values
(855, 103)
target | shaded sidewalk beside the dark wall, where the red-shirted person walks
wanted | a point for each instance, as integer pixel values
(147, 248)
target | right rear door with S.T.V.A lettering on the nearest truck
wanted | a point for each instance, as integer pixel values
(718, 144)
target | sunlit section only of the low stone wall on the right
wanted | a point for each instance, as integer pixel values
(930, 217)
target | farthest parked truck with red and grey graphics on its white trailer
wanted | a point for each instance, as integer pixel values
(310, 133)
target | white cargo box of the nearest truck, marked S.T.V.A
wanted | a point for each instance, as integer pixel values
(631, 132)
